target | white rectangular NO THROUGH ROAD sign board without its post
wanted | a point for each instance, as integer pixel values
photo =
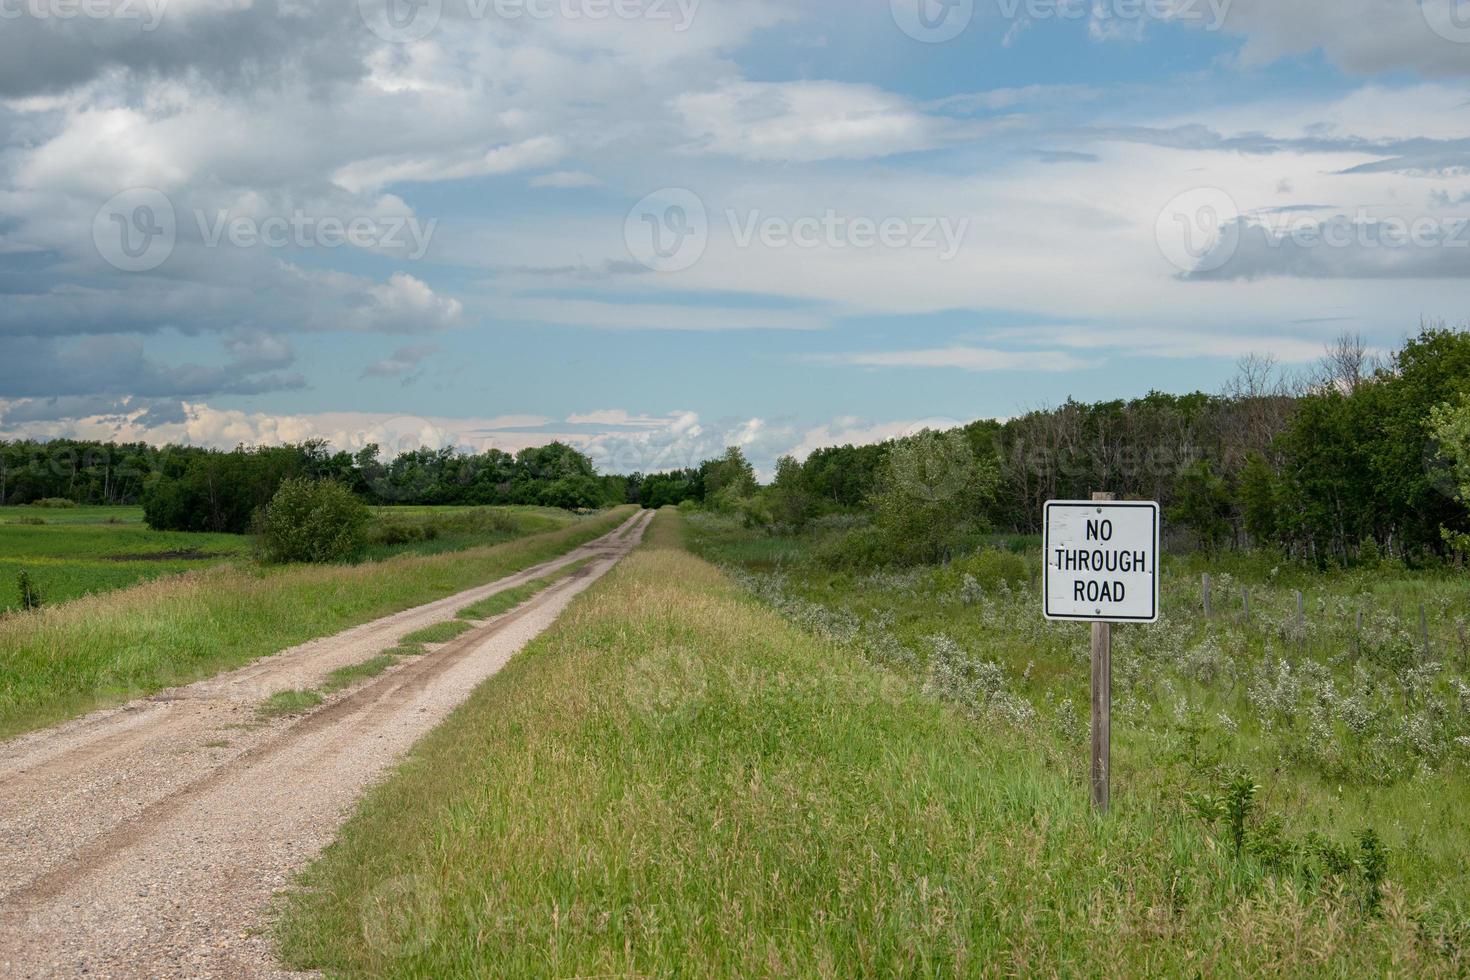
(1102, 562)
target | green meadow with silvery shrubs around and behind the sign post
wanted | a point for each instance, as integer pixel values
(1346, 732)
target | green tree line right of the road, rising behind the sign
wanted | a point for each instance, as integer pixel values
(1358, 461)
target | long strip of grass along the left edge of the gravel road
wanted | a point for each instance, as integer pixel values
(65, 660)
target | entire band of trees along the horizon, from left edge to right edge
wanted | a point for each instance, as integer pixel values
(1358, 461)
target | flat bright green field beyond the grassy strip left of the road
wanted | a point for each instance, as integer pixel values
(86, 550)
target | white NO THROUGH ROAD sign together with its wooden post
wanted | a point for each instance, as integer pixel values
(1102, 568)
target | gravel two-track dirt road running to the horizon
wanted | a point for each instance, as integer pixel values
(148, 841)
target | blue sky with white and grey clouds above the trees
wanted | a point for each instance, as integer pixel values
(655, 228)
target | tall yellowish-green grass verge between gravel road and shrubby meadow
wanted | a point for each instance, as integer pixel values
(678, 781)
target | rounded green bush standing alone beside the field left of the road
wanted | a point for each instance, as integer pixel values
(312, 521)
